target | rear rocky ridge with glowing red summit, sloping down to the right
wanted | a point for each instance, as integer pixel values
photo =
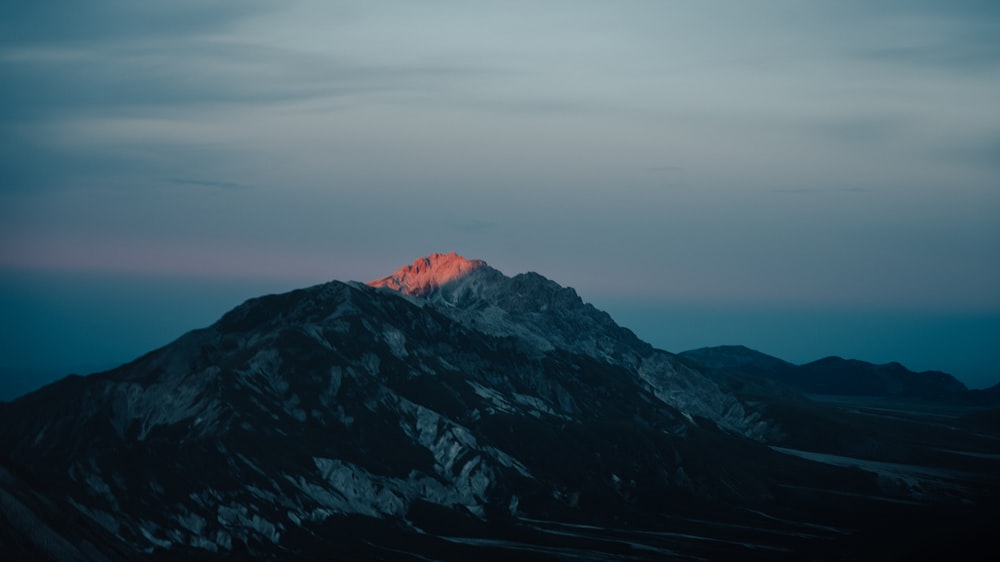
(544, 317)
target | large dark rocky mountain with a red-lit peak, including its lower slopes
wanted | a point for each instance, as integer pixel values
(448, 412)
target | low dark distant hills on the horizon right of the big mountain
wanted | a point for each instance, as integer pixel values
(831, 375)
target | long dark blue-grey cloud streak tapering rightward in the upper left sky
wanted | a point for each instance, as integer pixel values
(171, 76)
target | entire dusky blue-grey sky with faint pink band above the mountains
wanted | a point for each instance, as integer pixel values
(807, 178)
